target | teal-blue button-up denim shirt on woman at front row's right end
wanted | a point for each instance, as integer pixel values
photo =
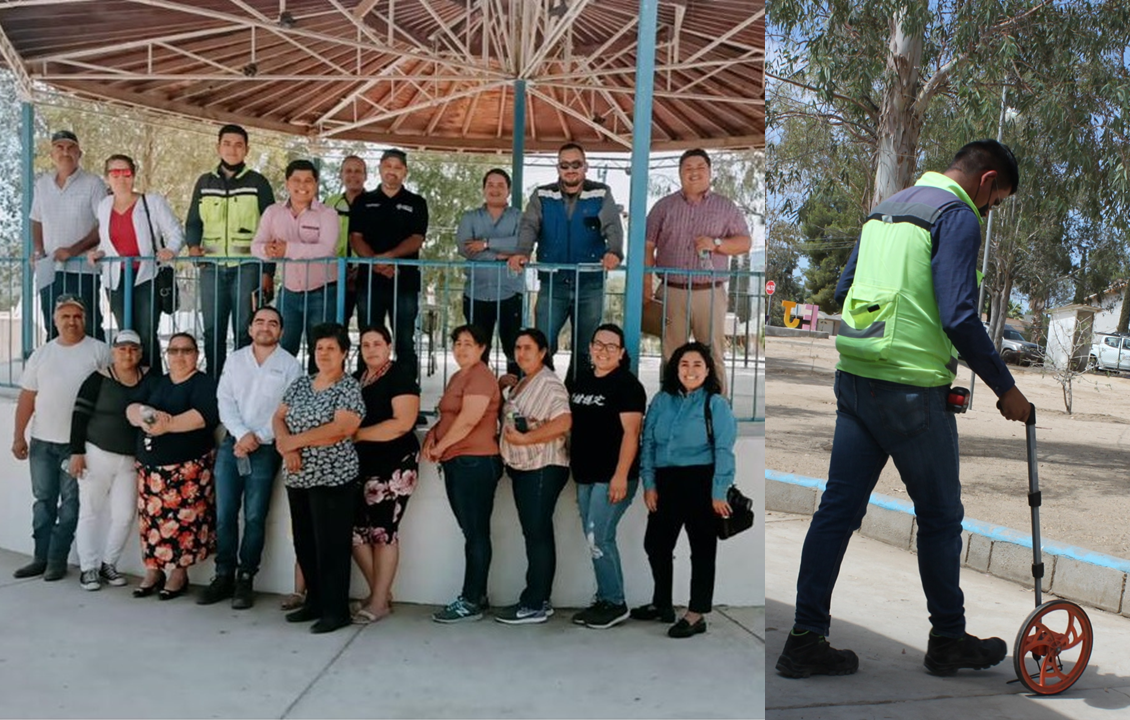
(675, 436)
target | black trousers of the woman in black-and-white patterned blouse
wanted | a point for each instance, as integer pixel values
(321, 519)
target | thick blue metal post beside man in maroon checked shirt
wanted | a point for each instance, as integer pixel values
(638, 204)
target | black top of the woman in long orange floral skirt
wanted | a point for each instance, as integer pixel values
(198, 393)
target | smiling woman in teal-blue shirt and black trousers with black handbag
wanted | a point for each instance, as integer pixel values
(685, 480)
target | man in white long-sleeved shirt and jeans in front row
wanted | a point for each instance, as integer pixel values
(250, 392)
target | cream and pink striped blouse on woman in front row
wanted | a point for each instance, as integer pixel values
(543, 398)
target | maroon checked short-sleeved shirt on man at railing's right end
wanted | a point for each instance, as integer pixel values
(675, 222)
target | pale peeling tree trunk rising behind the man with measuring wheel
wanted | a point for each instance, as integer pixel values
(900, 123)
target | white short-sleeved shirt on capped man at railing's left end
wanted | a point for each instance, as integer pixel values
(68, 213)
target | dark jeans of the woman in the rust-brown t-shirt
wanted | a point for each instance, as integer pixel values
(471, 482)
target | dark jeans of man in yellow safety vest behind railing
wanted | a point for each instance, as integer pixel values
(225, 299)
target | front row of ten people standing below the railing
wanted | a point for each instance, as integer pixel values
(112, 440)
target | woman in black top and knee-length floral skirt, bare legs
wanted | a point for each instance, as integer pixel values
(389, 456)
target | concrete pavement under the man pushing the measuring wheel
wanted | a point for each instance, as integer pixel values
(880, 612)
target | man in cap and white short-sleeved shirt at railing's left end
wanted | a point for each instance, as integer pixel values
(65, 225)
